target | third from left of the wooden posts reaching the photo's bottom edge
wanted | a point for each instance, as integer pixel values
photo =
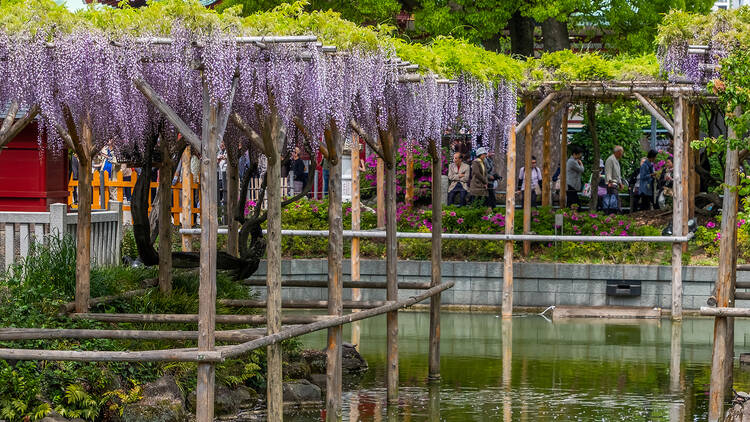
(335, 286)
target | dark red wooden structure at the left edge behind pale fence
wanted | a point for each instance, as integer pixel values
(31, 176)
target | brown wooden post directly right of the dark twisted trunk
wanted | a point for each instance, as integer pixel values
(165, 217)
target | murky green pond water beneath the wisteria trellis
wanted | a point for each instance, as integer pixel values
(530, 369)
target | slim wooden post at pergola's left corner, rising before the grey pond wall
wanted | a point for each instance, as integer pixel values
(510, 214)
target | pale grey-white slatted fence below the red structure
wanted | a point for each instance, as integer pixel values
(20, 229)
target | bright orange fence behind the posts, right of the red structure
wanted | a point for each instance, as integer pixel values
(115, 190)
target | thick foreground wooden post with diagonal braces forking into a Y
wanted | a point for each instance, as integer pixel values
(207, 287)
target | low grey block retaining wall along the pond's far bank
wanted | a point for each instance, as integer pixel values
(535, 284)
